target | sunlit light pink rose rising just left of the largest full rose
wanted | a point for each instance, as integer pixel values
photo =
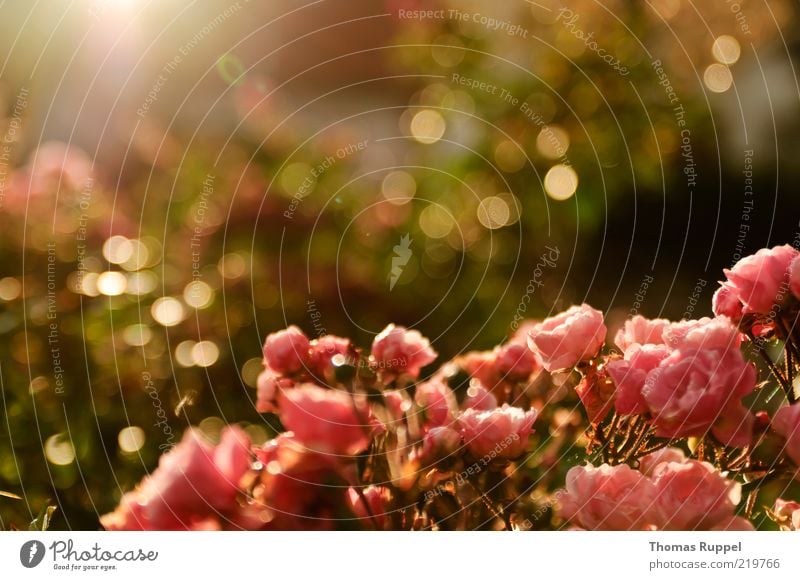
(564, 340)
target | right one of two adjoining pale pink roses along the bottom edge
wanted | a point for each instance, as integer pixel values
(693, 495)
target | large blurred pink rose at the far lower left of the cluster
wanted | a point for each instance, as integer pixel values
(195, 486)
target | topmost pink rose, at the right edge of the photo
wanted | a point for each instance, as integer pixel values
(758, 280)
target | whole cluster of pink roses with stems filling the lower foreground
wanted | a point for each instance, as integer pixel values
(678, 432)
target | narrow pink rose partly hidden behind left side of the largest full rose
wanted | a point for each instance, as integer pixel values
(630, 375)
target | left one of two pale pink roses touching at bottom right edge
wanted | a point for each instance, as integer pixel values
(608, 498)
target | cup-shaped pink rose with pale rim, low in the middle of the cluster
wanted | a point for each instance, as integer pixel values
(500, 433)
